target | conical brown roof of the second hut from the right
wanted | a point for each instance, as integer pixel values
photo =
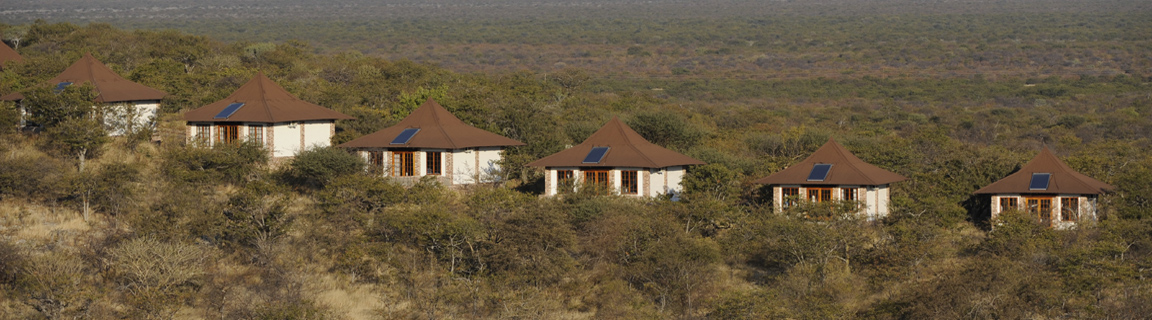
(846, 170)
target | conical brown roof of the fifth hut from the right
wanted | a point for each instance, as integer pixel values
(264, 102)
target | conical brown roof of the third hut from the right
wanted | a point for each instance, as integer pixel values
(626, 149)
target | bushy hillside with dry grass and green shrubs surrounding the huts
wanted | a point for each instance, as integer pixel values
(186, 232)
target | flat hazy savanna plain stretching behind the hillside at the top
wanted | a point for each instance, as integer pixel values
(672, 41)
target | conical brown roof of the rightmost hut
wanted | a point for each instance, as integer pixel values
(1064, 180)
